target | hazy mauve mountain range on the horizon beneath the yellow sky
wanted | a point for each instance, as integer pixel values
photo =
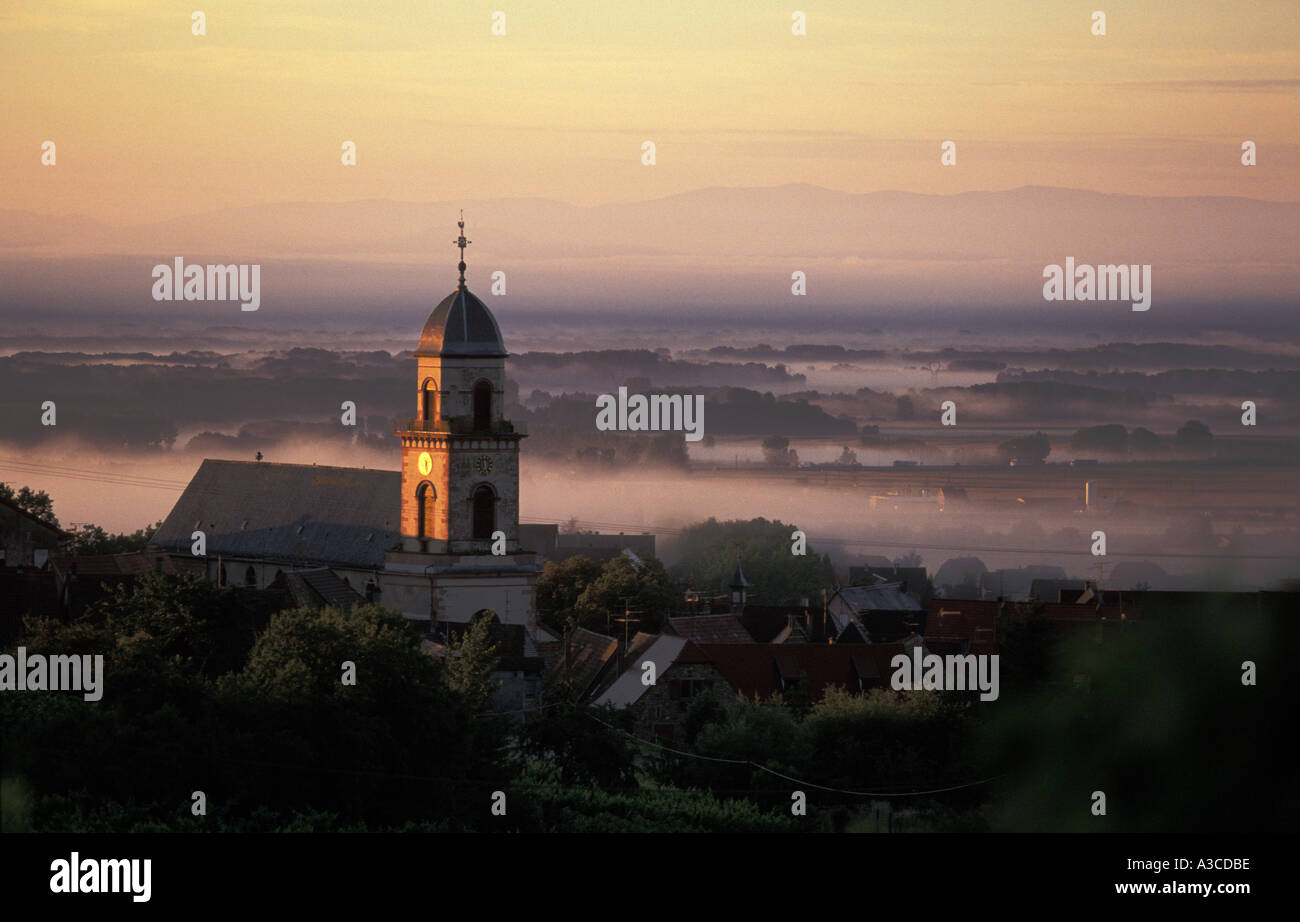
(710, 246)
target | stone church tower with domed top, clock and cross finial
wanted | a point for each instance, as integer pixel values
(461, 475)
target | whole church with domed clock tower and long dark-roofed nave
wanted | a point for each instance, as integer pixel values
(439, 540)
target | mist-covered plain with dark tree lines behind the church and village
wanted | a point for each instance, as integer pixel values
(133, 427)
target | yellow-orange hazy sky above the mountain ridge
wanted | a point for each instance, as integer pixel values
(153, 122)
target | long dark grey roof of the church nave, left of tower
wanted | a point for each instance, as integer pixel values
(298, 514)
